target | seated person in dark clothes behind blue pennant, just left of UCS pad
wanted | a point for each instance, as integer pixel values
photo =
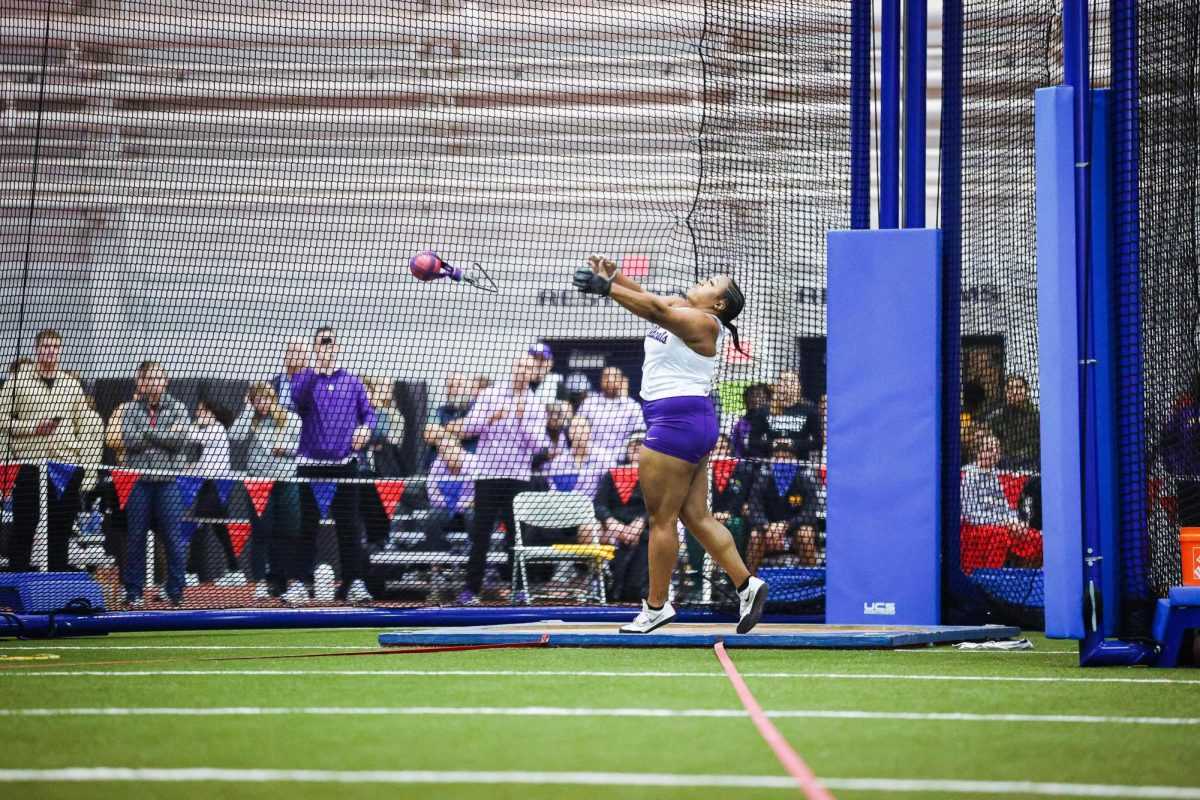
(783, 519)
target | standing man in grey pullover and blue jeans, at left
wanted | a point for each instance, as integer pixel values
(157, 435)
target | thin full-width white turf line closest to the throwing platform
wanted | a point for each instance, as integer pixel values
(574, 673)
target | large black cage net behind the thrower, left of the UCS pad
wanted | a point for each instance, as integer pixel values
(214, 210)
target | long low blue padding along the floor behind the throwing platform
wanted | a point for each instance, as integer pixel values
(291, 618)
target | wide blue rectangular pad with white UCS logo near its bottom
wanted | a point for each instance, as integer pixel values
(884, 502)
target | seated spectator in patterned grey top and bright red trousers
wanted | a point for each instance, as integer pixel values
(1000, 538)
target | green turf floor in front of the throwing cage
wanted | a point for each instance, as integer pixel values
(1127, 741)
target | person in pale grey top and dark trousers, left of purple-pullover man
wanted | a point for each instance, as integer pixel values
(273, 435)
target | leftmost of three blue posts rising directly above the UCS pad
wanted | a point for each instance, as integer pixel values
(861, 115)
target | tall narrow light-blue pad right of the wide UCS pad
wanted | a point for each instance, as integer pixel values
(1059, 372)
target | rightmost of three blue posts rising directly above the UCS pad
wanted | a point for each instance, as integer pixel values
(915, 39)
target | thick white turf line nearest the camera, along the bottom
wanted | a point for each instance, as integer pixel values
(1005, 789)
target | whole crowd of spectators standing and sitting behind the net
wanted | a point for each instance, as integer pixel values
(487, 443)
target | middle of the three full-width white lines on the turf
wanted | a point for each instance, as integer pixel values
(561, 712)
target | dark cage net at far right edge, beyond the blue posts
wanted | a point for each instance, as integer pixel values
(1155, 45)
